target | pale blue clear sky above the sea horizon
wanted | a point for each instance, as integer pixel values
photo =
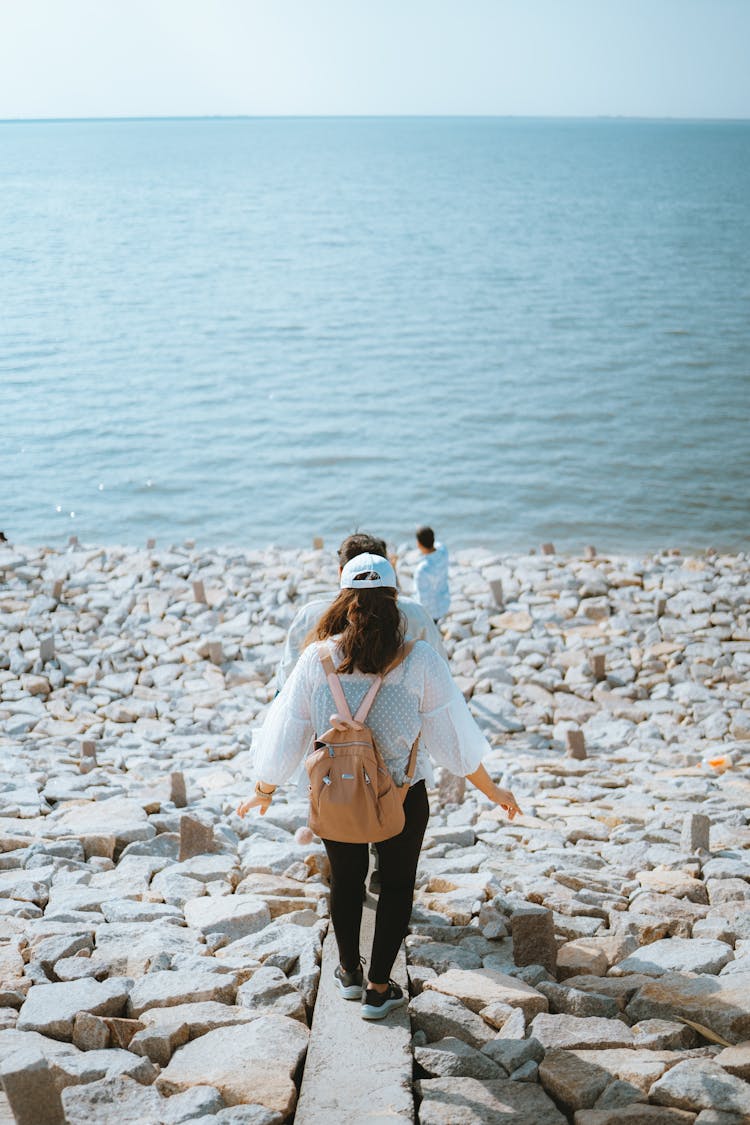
(529, 58)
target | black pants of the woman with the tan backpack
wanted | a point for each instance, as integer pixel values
(399, 870)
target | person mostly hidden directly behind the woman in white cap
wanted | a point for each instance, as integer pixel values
(419, 624)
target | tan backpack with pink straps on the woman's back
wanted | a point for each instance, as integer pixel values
(354, 799)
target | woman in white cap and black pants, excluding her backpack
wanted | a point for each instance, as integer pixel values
(364, 633)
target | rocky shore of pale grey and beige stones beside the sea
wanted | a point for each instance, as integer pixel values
(160, 959)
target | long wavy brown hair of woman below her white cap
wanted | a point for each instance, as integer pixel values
(369, 627)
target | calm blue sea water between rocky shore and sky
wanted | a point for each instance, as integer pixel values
(257, 331)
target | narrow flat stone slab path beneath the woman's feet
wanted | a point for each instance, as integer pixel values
(356, 1070)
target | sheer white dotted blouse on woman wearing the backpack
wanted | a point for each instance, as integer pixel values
(417, 698)
